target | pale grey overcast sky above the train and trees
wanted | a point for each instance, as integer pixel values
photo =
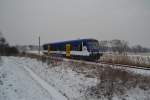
(54, 20)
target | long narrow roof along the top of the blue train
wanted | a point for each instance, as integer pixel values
(77, 40)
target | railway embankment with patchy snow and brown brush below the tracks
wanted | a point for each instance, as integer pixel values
(103, 81)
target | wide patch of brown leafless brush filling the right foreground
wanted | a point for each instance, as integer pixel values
(114, 81)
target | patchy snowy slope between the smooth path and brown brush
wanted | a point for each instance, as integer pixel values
(70, 83)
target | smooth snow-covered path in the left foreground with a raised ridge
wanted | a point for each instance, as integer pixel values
(18, 82)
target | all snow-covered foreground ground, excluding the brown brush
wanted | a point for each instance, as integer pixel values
(28, 79)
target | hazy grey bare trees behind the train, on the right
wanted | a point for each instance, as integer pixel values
(121, 47)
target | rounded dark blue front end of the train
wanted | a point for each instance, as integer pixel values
(94, 49)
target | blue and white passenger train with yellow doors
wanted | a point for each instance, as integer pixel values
(85, 49)
